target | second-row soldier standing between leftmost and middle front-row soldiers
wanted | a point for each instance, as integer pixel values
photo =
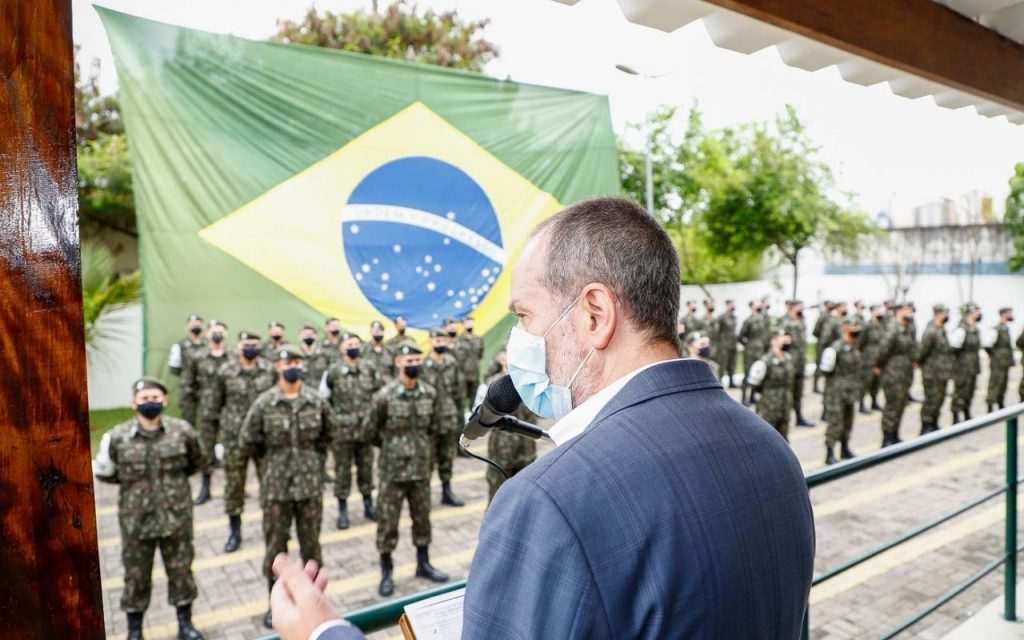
(239, 383)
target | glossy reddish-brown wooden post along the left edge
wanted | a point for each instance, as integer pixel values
(50, 565)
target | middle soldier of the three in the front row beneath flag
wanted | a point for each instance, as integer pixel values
(288, 426)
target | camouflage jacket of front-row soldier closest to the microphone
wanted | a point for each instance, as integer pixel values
(403, 422)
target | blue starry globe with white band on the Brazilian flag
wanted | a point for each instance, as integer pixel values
(422, 241)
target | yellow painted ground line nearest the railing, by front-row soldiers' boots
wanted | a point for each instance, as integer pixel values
(361, 582)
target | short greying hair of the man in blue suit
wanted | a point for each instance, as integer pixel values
(614, 241)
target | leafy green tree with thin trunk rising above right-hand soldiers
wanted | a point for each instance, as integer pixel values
(767, 192)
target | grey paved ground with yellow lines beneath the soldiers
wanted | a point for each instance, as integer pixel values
(854, 516)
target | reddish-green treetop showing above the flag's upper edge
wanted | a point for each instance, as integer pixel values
(398, 31)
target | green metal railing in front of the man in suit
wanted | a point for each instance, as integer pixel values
(387, 615)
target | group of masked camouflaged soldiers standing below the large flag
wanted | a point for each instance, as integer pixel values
(290, 408)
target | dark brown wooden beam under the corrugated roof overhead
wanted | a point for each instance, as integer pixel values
(920, 37)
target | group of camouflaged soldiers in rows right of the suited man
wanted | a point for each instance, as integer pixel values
(865, 361)
